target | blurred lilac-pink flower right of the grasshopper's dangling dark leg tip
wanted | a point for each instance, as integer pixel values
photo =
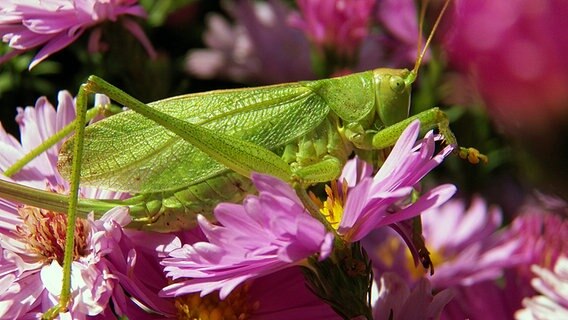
(468, 244)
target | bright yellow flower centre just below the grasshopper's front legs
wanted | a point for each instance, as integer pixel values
(332, 207)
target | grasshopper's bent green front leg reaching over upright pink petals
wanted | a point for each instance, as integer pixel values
(429, 119)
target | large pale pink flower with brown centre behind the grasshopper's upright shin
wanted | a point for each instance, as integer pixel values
(107, 268)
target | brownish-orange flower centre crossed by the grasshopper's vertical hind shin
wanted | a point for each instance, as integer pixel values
(44, 232)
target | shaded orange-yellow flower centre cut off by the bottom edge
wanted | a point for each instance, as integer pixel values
(237, 306)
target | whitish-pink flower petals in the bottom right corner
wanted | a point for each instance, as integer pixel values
(553, 286)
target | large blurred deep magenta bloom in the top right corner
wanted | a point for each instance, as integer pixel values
(514, 53)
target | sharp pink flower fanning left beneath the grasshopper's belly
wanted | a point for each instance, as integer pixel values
(267, 233)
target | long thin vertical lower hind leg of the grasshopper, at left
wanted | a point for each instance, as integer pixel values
(80, 120)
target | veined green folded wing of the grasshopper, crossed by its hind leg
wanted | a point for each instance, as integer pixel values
(128, 152)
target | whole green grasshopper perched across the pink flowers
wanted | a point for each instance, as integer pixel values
(181, 156)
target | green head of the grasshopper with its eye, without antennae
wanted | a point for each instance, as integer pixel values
(392, 94)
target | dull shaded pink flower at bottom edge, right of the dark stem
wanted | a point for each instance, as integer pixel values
(397, 301)
